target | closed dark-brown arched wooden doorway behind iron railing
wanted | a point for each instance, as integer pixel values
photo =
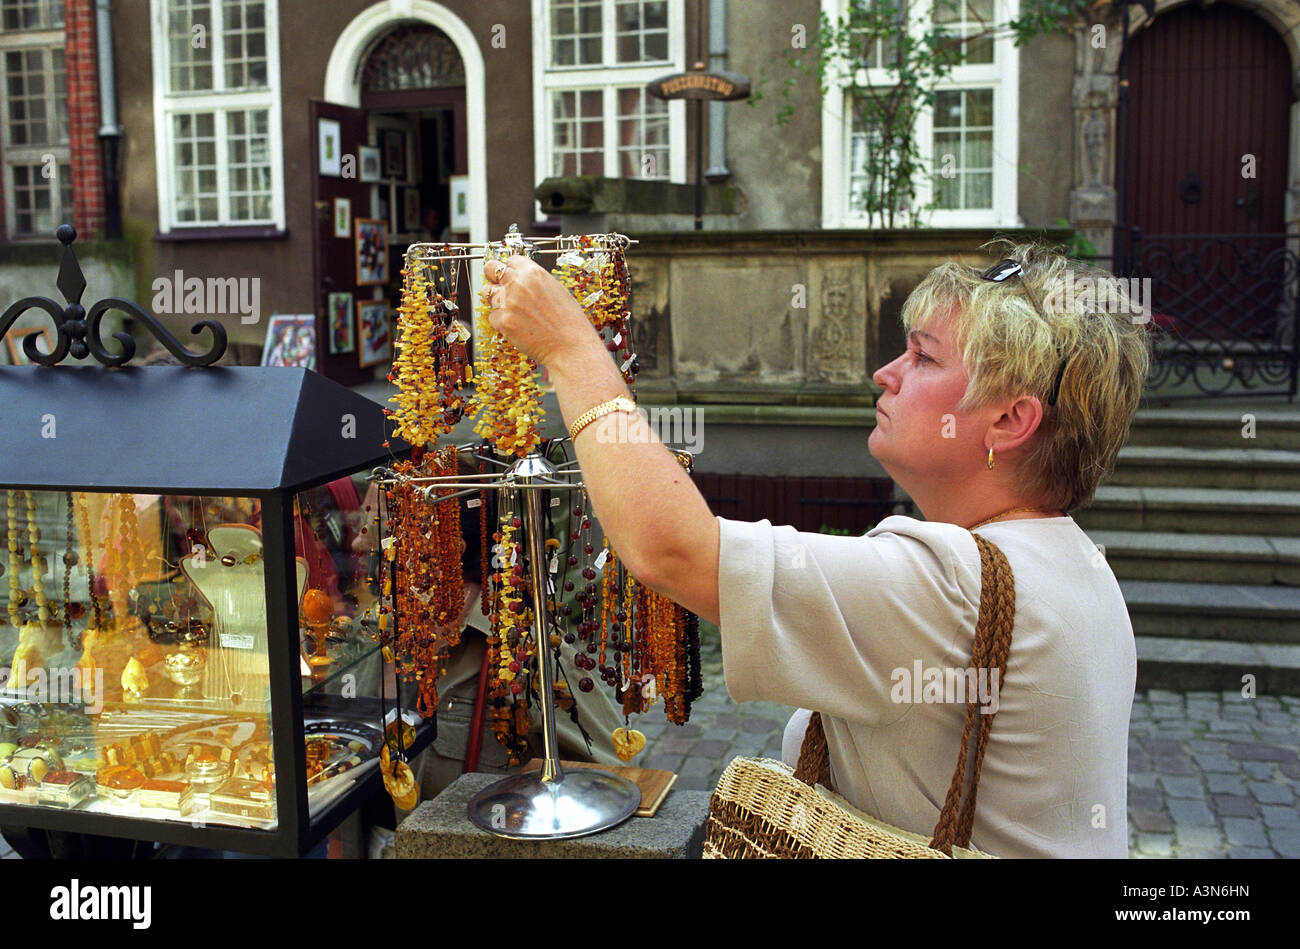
(1204, 172)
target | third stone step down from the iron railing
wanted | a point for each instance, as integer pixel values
(1194, 510)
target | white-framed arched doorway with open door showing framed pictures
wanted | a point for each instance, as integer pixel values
(405, 106)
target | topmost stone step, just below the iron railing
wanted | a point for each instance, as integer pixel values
(1223, 427)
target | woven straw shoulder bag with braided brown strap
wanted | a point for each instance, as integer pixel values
(764, 808)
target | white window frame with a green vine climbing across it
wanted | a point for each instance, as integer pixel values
(1003, 76)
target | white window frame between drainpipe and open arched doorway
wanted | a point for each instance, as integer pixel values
(167, 105)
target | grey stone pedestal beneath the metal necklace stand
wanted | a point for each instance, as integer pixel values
(441, 829)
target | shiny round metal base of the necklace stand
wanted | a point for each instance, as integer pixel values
(582, 803)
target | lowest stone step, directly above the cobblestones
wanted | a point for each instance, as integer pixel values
(1216, 666)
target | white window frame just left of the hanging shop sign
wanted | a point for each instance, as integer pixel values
(608, 77)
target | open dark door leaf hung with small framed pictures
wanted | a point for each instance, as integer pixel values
(340, 200)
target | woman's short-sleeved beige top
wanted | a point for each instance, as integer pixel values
(848, 625)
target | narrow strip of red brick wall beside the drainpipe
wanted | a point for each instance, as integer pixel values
(84, 119)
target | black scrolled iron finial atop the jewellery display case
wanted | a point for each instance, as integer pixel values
(79, 332)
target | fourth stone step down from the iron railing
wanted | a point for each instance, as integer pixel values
(1259, 561)
